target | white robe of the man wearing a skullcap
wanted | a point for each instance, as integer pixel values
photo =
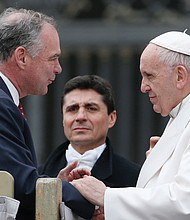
(163, 187)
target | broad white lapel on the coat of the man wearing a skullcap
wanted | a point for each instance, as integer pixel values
(165, 146)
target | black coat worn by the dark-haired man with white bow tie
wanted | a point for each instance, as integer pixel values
(112, 169)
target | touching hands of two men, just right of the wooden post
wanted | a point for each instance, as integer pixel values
(90, 187)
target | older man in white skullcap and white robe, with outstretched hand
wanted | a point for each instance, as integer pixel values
(163, 188)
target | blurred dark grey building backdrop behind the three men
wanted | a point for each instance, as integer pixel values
(104, 37)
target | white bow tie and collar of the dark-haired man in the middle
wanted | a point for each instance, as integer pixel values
(86, 160)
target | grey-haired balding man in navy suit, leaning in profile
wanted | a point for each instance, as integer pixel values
(29, 62)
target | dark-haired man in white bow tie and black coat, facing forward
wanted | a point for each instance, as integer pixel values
(88, 109)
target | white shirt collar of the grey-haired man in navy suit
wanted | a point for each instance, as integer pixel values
(12, 89)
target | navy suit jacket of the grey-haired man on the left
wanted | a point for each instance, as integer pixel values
(17, 156)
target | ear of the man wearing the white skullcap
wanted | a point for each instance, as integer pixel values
(182, 76)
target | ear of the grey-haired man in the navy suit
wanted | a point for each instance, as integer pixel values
(20, 56)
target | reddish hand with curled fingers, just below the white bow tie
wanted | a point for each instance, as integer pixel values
(71, 173)
